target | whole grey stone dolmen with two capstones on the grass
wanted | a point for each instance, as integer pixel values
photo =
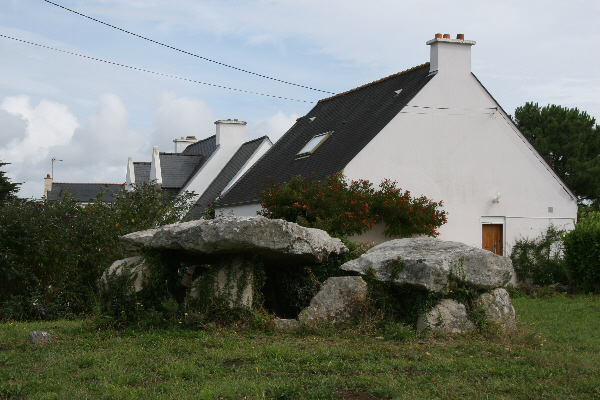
(422, 263)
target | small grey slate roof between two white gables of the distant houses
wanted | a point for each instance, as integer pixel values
(177, 168)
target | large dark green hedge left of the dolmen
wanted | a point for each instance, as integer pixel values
(52, 253)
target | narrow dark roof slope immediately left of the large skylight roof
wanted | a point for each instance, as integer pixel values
(226, 175)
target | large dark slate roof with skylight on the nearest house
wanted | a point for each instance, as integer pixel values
(355, 117)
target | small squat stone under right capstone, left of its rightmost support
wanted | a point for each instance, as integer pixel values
(447, 316)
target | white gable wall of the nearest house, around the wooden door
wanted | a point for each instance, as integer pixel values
(464, 156)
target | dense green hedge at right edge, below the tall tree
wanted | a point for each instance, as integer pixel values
(582, 252)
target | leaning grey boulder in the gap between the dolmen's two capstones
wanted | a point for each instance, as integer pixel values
(339, 299)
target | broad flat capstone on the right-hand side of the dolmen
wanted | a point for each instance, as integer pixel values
(429, 263)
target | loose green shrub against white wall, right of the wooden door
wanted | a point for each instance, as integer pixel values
(541, 260)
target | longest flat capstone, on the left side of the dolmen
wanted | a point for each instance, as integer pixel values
(272, 239)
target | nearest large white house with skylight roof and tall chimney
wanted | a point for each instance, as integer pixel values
(438, 132)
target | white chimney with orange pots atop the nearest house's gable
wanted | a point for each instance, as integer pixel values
(450, 56)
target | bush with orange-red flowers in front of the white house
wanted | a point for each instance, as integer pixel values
(345, 208)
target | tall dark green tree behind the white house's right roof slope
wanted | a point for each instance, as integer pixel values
(569, 141)
